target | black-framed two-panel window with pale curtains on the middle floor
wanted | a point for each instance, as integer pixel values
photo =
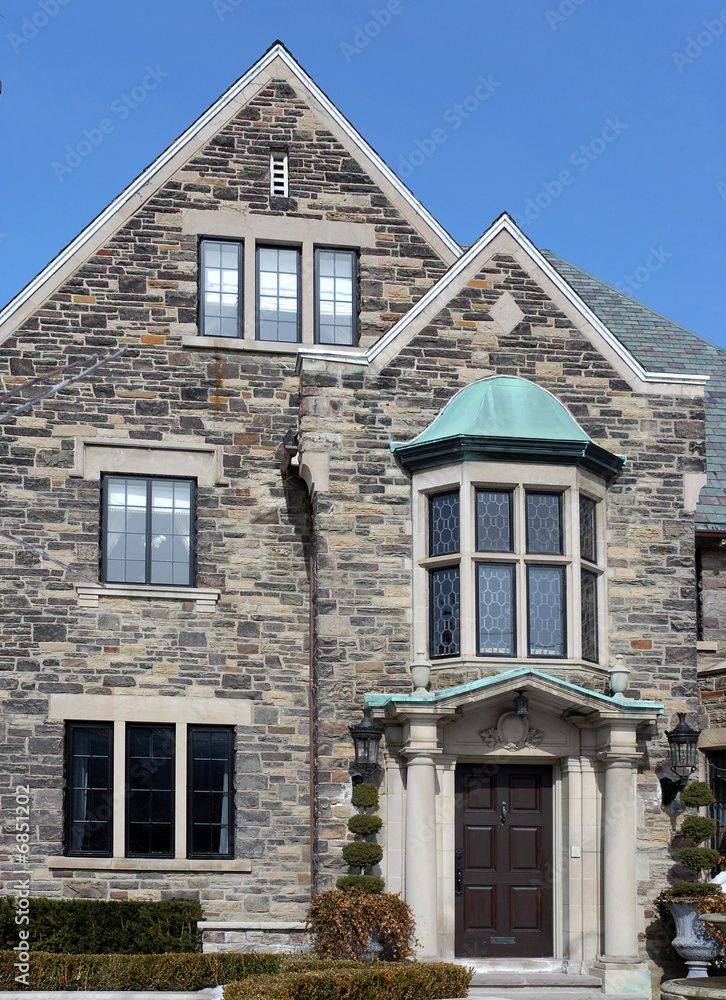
(148, 530)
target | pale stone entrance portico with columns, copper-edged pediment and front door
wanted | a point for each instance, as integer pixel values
(565, 860)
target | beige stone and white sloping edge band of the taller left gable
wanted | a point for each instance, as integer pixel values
(276, 63)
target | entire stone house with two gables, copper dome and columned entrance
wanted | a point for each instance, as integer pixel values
(338, 444)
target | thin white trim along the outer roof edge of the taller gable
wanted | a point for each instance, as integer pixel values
(277, 51)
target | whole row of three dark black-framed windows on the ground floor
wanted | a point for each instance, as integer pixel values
(150, 802)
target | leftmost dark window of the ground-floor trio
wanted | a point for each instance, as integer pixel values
(89, 788)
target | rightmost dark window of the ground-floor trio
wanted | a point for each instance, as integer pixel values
(210, 791)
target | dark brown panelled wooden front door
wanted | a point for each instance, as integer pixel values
(503, 860)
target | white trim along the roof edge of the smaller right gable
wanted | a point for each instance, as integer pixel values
(506, 224)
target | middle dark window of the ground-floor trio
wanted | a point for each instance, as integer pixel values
(150, 753)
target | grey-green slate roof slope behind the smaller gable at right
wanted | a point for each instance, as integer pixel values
(658, 342)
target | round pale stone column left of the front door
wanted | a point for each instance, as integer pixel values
(421, 874)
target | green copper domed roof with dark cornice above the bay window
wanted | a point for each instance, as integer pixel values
(505, 418)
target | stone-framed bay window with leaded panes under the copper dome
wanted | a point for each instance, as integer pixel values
(500, 565)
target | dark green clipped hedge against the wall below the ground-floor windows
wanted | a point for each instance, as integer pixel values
(97, 927)
